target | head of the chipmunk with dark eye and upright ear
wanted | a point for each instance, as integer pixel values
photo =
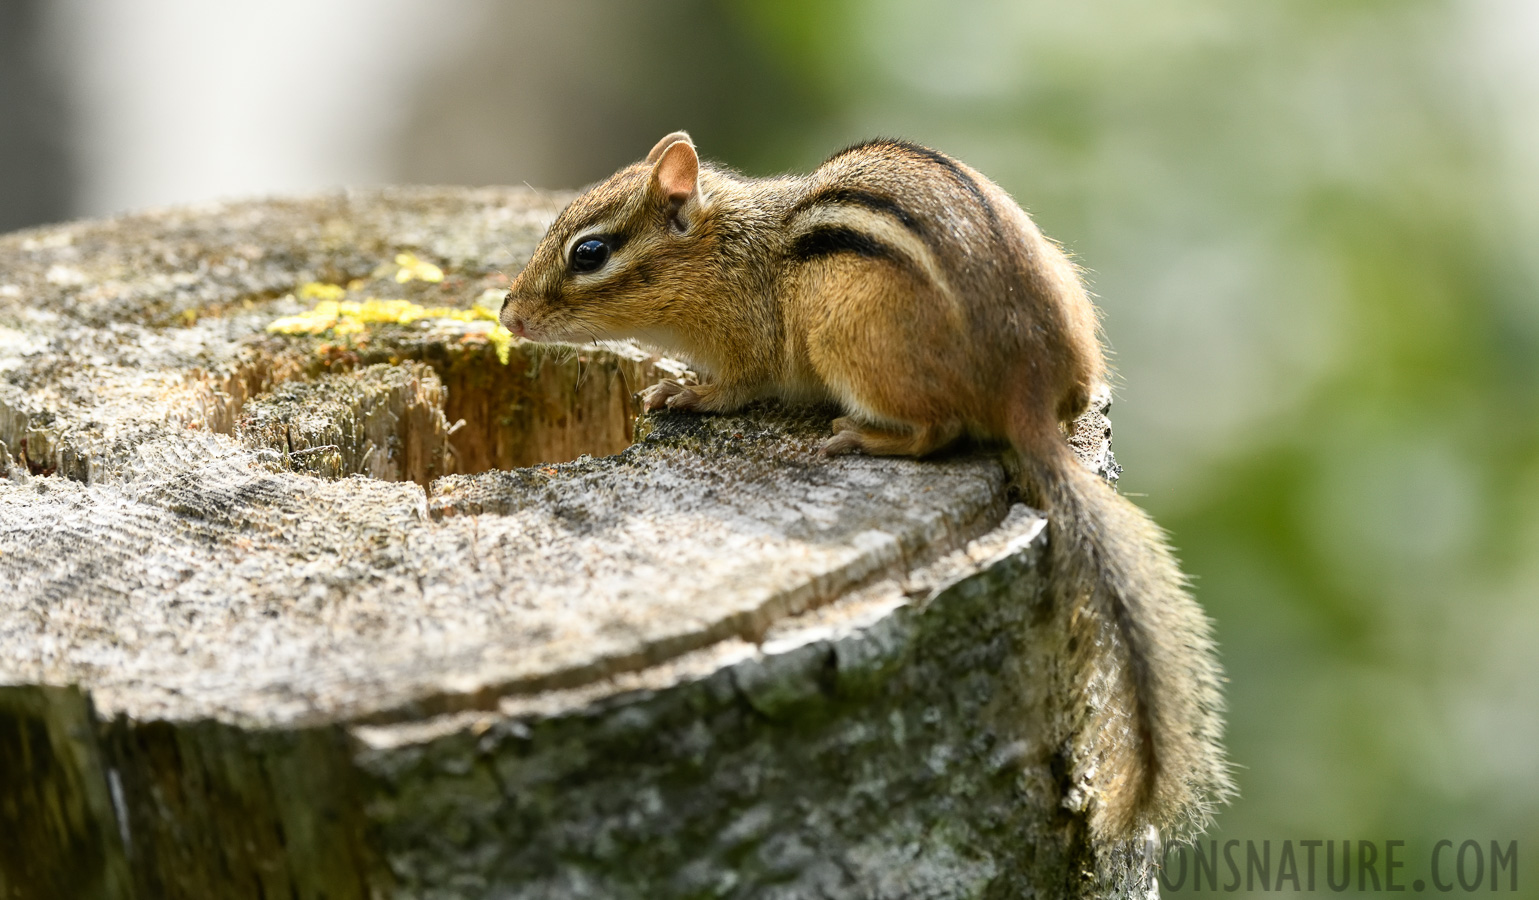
(621, 259)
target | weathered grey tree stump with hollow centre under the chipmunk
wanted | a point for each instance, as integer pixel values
(284, 618)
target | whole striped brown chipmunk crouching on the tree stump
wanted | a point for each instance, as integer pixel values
(918, 296)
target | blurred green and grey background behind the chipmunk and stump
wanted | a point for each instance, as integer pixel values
(1314, 228)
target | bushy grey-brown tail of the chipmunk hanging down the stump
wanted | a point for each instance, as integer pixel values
(1147, 707)
